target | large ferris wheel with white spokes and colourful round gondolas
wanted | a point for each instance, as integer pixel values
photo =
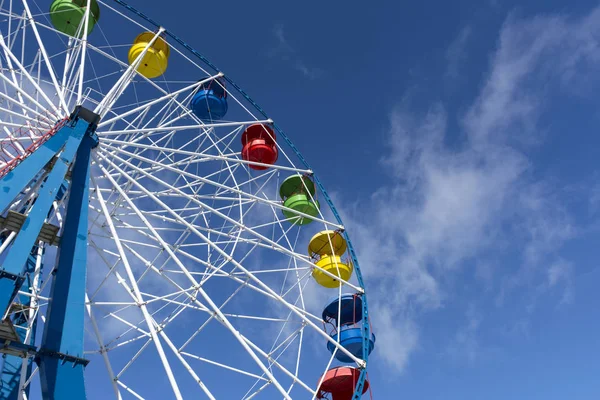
(160, 236)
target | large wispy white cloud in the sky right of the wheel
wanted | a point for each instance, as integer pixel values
(455, 208)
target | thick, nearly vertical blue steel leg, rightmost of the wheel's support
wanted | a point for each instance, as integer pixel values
(60, 357)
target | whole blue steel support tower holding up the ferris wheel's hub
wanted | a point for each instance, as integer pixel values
(64, 149)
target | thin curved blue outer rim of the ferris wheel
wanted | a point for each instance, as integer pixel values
(367, 325)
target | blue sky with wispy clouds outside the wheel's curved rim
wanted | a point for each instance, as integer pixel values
(465, 163)
